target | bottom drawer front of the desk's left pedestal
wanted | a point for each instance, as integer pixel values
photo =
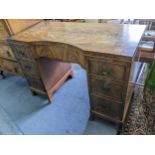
(35, 83)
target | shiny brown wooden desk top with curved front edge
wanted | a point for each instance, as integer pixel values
(113, 39)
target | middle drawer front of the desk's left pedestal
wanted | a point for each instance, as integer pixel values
(29, 68)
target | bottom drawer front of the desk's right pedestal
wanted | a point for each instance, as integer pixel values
(107, 107)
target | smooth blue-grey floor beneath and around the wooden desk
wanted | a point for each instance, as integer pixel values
(22, 113)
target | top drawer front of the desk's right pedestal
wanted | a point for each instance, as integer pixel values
(108, 69)
